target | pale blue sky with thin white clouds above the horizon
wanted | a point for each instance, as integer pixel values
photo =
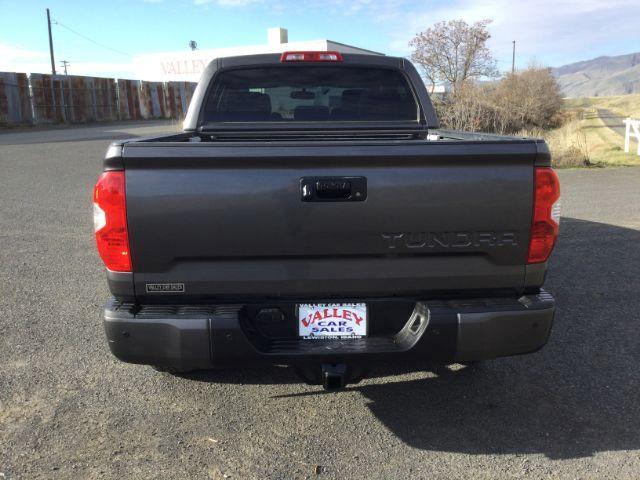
(548, 32)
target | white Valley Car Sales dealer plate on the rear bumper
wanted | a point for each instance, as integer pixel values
(320, 321)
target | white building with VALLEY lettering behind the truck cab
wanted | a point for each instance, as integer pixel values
(189, 65)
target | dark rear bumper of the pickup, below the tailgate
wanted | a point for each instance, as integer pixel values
(209, 336)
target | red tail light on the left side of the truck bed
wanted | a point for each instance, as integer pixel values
(110, 221)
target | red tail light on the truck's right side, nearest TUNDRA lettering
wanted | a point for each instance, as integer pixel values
(546, 215)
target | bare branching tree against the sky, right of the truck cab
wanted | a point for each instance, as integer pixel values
(454, 52)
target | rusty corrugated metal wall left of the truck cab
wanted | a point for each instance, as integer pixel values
(47, 99)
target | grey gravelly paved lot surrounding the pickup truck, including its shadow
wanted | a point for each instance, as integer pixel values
(68, 409)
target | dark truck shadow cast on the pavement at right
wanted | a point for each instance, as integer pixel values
(576, 397)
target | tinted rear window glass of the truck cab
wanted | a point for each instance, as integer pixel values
(318, 93)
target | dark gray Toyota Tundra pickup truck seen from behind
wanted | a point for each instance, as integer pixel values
(311, 214)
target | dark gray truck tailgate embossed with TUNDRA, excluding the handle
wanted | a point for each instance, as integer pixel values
(228, 220)
